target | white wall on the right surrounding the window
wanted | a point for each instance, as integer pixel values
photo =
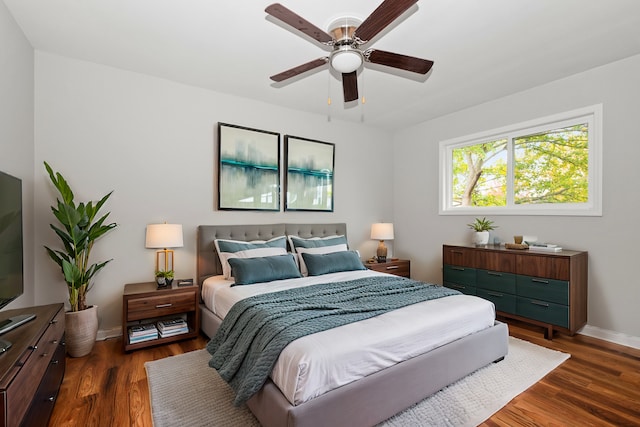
(611, 240)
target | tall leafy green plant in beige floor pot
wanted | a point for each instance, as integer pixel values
(78, 231)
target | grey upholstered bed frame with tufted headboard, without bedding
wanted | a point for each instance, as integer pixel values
(372, 397)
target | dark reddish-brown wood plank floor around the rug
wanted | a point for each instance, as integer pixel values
(599, 385)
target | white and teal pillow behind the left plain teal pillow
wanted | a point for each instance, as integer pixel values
(240, 249)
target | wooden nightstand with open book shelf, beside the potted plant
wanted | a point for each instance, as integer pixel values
(145, 303)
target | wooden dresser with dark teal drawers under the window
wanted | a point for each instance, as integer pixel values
(544, 288)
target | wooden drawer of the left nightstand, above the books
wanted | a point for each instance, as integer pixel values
(160, 305)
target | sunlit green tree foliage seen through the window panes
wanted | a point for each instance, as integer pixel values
(548, 167)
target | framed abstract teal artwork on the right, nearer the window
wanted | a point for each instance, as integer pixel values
(309, 174)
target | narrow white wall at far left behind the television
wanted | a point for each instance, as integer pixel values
(16, 131)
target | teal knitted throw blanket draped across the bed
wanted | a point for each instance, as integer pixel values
(257, 329)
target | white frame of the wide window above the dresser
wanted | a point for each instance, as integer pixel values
(592, 115)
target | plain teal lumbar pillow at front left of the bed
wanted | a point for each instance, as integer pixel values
(247, 271)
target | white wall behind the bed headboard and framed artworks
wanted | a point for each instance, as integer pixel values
(152, 142)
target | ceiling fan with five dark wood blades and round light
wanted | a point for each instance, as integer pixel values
(346, 37)
